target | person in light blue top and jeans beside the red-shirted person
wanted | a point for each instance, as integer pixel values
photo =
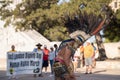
(51, 59)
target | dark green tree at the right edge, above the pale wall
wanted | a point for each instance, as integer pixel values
(112, 33)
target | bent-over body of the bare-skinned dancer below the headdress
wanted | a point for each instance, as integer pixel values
(61, 70)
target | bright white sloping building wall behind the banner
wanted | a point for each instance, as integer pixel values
(23, 41)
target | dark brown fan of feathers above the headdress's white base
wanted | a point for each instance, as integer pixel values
(84, 22)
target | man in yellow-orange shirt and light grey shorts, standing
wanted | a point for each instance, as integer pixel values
(88, 54)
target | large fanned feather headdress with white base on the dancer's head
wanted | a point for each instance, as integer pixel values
(85, 25)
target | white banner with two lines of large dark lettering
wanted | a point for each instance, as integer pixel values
(24, 63)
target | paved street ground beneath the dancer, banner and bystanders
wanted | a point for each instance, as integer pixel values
(98, 74)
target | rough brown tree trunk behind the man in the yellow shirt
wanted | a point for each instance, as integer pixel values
(101, 49)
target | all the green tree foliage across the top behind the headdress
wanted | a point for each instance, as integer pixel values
(47, 17)
